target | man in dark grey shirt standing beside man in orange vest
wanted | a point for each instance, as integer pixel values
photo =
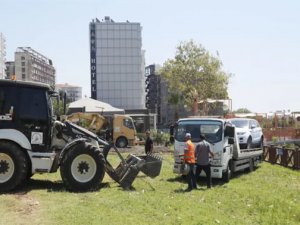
(202, 156)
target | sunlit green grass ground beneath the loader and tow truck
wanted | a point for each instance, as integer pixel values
(269, 195)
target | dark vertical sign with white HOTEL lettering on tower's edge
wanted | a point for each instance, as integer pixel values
(93, 60)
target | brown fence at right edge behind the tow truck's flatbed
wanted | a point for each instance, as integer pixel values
(287, 157)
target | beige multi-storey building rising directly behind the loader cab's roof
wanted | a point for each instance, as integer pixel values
(33, 66)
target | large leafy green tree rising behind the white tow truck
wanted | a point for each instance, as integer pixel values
(194, 74)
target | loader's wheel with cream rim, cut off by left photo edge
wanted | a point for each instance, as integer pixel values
(13, 166)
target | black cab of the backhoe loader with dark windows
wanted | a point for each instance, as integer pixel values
(26, 107)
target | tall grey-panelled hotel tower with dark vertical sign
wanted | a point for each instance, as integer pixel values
(117, 63)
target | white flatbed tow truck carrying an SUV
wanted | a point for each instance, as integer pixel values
(220, 133)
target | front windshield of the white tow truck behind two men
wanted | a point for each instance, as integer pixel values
(212, 130)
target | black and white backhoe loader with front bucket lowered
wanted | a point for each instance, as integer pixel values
(32, 141)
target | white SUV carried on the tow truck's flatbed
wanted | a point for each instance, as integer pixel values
(249, 132)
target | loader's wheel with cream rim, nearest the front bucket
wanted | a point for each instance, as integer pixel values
(82, 168)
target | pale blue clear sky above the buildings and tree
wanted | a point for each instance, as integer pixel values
(258, 41)
